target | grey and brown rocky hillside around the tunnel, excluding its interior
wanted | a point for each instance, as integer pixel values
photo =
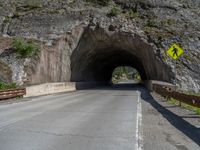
(57, 26)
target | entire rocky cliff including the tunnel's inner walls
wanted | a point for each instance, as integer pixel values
(82, 41)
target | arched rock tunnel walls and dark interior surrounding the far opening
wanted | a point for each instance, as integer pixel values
(100, 51)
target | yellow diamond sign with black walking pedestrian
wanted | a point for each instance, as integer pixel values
(175, 51)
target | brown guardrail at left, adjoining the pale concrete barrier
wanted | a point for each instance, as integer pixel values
(12, 93)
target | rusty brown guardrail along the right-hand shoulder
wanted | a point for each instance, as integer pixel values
(168, 91)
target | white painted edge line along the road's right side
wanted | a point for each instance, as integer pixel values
(138, 144)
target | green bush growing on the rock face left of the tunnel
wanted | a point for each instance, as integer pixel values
(25, 49)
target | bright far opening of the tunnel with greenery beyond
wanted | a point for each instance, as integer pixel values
(125, 75)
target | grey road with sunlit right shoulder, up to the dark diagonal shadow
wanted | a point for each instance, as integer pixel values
(100, 119)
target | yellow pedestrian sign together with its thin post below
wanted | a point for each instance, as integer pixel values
(175, 51)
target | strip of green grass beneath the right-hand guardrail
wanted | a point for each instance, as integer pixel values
(186, 106)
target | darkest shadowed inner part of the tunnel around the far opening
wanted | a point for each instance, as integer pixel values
(99, 65)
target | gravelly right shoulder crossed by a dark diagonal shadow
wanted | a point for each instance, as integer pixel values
(166, 126)
